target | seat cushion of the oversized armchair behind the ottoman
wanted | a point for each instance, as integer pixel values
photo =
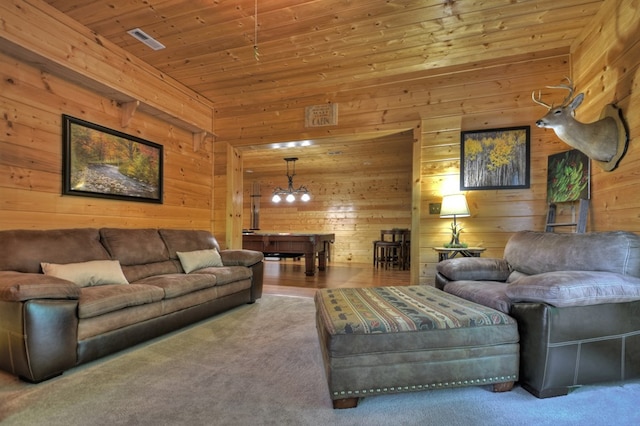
(487, 293)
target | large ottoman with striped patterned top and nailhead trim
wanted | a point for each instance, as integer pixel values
(400, 339)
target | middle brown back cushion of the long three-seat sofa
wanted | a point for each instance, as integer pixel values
(134, 246)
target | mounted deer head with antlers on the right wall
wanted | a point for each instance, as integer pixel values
(604, 140)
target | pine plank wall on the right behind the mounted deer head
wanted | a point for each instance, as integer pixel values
(606, 67)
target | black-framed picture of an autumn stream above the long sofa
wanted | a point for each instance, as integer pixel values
(105, 163)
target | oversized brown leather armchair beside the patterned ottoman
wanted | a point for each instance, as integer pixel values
(576, 298)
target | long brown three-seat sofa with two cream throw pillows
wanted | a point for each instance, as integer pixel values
(107, 289)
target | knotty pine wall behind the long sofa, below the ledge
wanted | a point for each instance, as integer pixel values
(31, 105)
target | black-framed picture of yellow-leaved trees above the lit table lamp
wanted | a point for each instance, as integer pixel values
(495, 158)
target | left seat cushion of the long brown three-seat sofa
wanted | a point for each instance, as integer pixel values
(102, 299)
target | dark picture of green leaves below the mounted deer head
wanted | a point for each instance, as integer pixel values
(568, 177)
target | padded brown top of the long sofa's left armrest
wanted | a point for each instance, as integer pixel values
(20, 287)
